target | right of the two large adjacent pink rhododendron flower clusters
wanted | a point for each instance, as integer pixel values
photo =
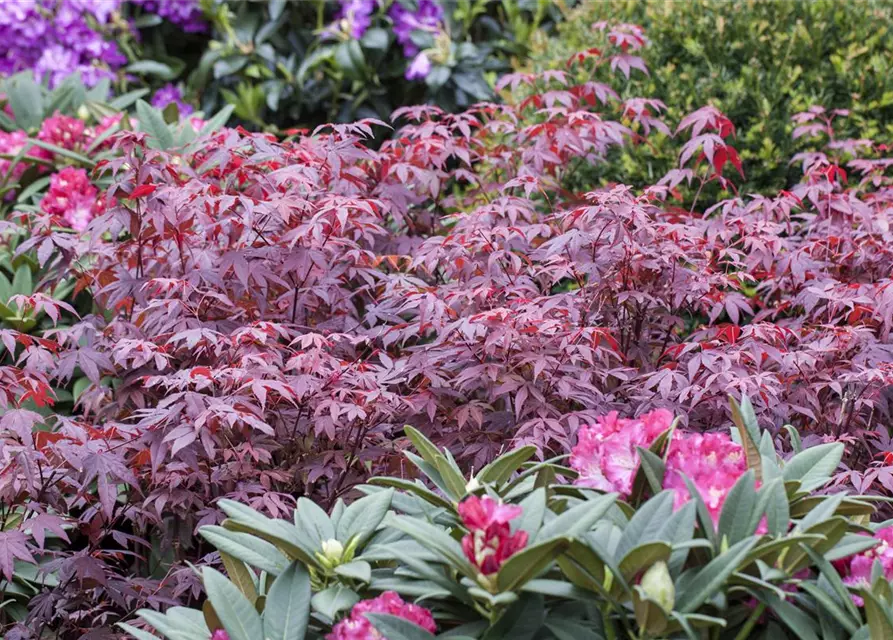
(712, 461)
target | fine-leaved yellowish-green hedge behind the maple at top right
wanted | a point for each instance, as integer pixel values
(758, 61)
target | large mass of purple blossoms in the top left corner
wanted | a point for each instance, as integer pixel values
(55, 39)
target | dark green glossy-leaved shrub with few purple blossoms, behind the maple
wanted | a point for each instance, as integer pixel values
(287, 64)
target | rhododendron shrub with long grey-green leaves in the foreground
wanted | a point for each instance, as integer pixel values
(586, 564)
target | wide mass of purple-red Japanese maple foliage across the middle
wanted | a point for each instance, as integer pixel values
(271, 313)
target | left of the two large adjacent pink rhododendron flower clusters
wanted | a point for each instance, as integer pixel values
(605, 455)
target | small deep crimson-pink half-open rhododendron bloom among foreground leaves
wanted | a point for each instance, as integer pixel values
(490, 541)
